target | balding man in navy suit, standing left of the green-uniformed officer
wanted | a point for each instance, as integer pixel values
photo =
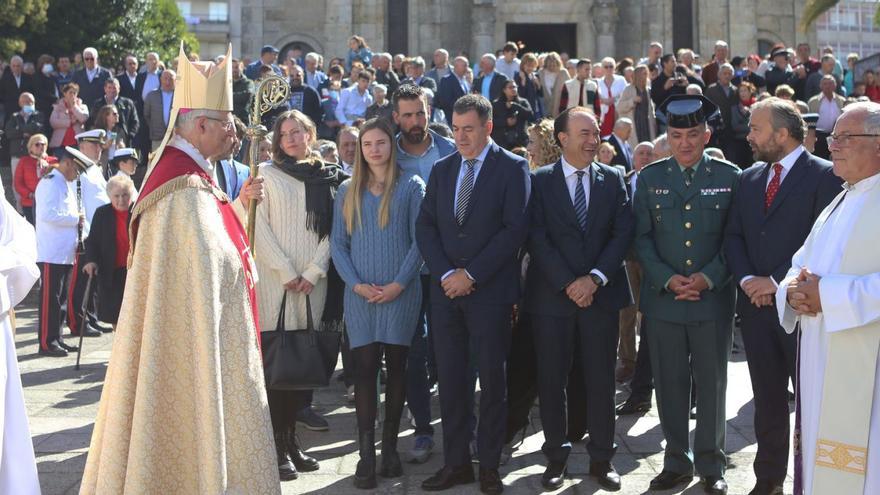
(576, 286)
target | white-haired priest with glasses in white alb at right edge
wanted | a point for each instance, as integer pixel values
(832, 293)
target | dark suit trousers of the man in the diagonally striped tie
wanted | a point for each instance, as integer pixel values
(462, 329)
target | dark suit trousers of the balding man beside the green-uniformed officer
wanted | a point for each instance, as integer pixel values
(555, 345)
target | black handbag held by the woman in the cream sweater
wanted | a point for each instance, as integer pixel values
(298, 359)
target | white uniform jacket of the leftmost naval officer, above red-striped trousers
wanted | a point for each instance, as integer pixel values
(56, 216)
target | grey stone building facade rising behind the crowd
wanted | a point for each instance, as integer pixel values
(590, 28)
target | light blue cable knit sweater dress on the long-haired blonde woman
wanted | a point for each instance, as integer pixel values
(370, 255)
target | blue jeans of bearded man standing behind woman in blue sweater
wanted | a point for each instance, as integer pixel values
(418, 391)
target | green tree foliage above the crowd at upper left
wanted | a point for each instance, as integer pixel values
(115, 27)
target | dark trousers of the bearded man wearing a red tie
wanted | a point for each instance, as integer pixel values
(772, 357)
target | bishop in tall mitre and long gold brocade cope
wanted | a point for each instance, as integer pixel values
(184, 409)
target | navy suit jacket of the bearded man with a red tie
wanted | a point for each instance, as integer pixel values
(762, 244)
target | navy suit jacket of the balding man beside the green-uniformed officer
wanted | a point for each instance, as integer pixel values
(560, 251)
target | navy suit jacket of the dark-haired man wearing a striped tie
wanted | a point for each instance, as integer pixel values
(488, 243)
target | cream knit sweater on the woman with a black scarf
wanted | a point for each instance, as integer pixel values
(285, 249)
